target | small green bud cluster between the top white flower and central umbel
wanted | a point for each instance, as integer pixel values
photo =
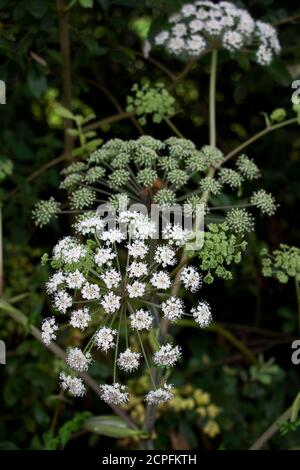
(151, 100)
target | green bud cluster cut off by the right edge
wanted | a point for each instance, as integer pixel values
(282, 264)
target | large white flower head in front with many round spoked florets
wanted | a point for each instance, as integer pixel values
(111, 291)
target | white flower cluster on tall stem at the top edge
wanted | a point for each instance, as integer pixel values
(203, 25)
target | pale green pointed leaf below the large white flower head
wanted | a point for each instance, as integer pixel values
(111, 426)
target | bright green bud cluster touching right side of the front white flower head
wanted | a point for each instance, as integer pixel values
(221, 248)
